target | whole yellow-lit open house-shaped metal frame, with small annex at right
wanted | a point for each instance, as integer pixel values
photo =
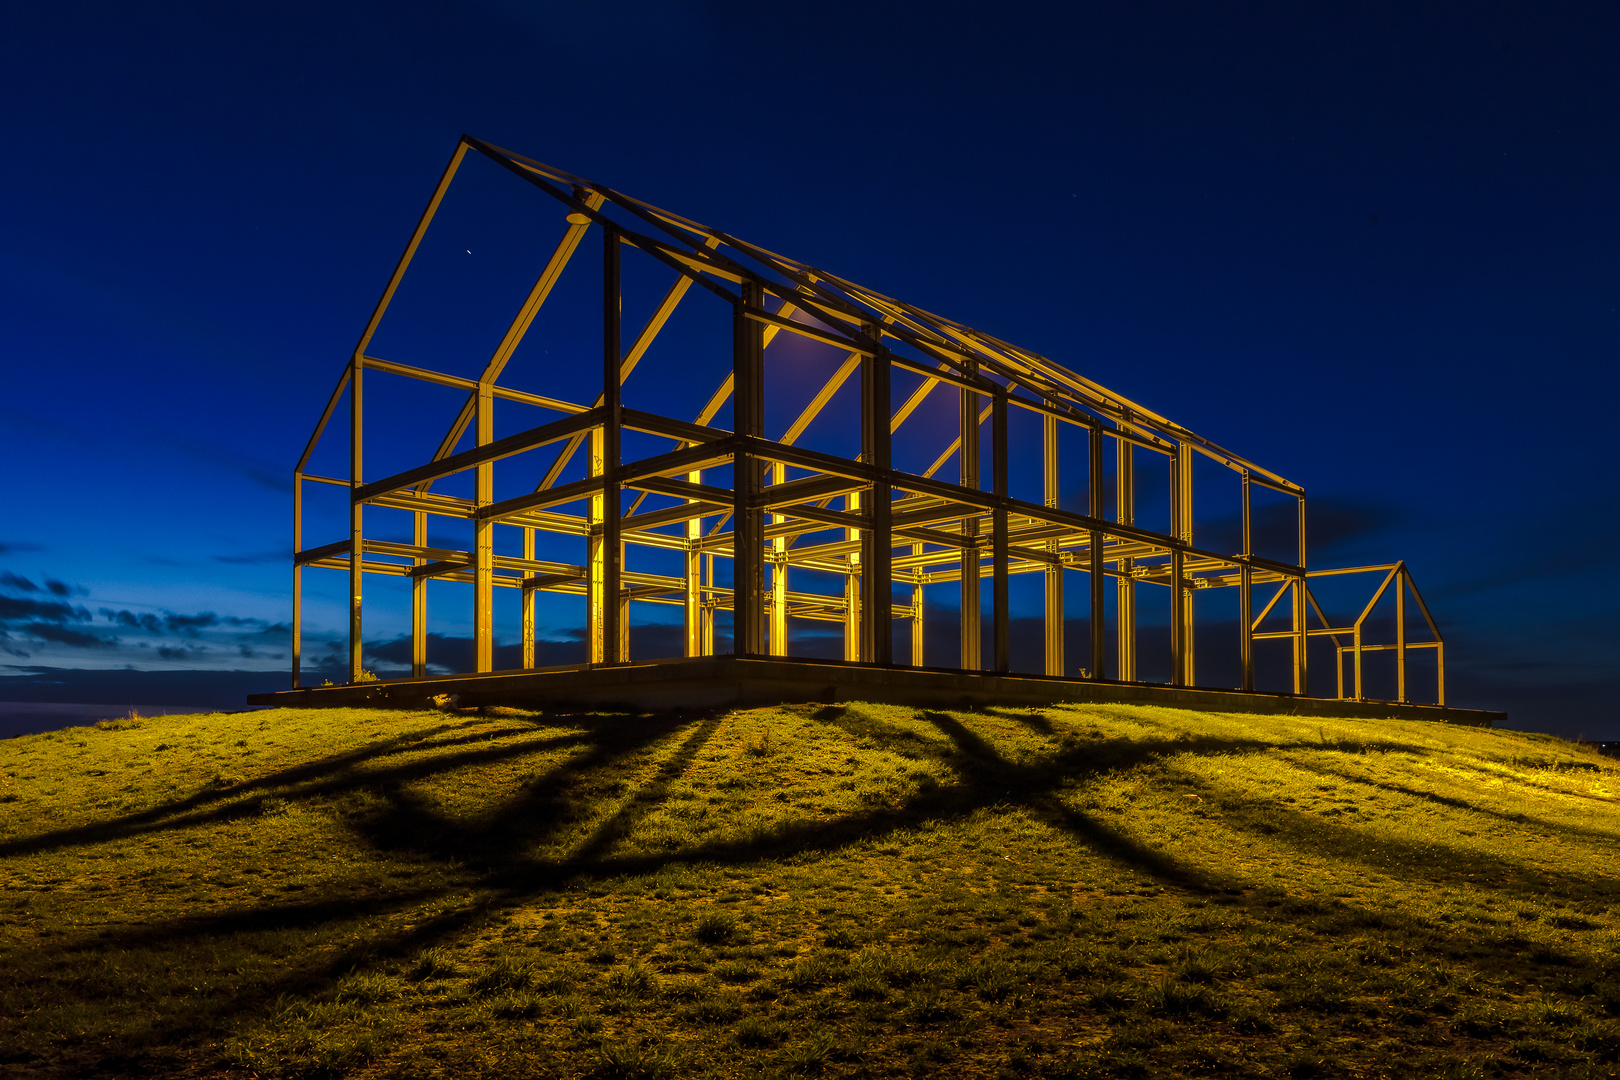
(790, 509)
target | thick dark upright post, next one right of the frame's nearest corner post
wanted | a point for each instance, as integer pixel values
(877, 556)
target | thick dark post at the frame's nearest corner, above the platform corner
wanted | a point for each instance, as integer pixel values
(748, 365)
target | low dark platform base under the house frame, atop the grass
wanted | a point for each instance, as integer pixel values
(728, 681)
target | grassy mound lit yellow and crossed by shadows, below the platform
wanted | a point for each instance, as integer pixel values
(806, 891)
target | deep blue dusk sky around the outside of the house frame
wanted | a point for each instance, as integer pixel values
(1371, 247)
